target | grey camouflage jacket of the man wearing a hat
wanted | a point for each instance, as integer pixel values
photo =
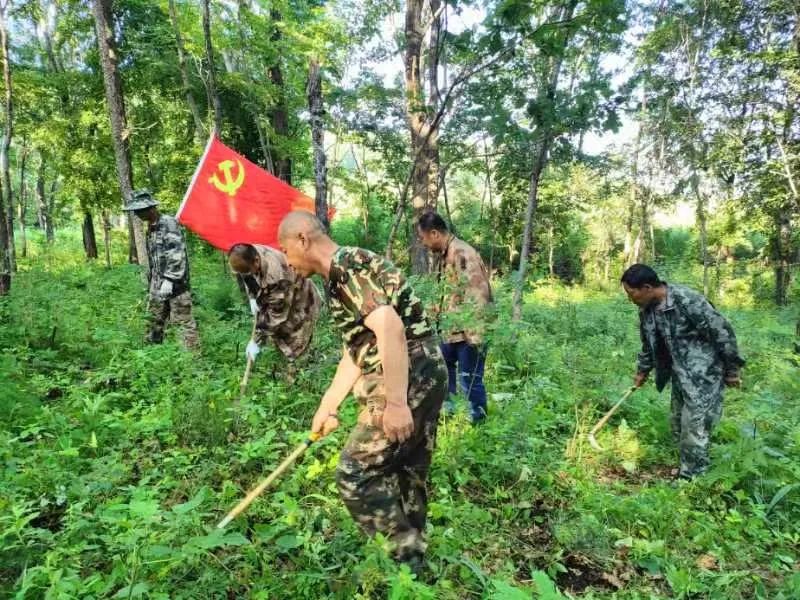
(166, 251)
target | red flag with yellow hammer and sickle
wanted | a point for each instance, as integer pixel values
(232, 200)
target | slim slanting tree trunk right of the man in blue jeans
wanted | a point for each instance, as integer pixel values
(539, 163)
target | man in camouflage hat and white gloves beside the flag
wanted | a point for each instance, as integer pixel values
(168, 277)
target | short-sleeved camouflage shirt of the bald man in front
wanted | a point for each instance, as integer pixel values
(359, 282)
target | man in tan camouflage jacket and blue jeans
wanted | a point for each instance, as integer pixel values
(466, 297)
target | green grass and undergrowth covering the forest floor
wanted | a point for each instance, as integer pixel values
(118, 459)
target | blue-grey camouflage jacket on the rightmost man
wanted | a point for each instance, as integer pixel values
(687, 338)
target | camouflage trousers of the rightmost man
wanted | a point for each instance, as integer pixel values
(694, 416)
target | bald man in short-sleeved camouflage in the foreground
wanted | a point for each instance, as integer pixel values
(393, 365)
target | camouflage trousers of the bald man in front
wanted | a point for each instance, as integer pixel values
(382, 483)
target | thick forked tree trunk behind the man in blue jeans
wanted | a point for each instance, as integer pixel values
(424, 132)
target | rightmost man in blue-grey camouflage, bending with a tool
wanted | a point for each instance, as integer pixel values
(686, 340)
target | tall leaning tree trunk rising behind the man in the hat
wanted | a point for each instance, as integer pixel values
(120, 133)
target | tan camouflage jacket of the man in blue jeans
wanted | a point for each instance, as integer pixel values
(466, 294)
